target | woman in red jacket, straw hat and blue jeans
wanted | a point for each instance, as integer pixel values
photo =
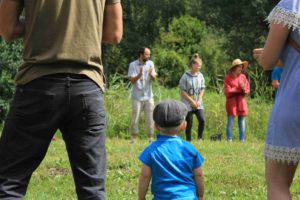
(236, 87)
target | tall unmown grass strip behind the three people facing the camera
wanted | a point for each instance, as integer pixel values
(118, 107)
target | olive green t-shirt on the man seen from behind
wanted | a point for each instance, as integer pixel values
(63, 36)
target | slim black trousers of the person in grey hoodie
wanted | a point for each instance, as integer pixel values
(189, 120)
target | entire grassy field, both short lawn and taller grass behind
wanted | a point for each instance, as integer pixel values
(232, 170)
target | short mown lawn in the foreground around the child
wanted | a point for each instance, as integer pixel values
(232, 171)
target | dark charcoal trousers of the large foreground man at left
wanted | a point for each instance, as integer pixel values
(71, 103)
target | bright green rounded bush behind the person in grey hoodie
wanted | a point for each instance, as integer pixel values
(185, 36)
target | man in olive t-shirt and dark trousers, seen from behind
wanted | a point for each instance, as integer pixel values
(60, 85)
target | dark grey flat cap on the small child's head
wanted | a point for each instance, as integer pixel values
(169, 113)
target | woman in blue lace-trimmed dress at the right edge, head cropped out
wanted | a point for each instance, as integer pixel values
(282, 149)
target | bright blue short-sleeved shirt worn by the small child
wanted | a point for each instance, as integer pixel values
(172, 161)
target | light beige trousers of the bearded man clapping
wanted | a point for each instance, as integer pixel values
(147, 107)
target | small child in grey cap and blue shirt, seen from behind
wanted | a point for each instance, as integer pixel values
(173, 163)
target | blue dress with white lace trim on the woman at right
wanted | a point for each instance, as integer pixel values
(283, 135)
